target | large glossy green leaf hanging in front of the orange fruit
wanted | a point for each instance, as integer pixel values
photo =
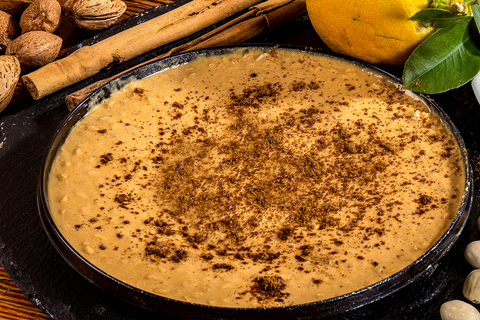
(446, 60)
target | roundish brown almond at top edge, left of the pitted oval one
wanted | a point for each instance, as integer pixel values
(41, 15)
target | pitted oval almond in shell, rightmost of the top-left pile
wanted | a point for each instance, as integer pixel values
(93, 15)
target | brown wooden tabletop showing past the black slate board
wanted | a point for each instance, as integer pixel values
(13, 304)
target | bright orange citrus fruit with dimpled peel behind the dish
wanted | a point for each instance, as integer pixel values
(376, 31)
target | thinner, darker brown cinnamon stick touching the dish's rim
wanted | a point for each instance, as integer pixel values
(260, 18)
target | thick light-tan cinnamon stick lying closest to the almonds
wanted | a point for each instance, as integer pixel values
(89, 60)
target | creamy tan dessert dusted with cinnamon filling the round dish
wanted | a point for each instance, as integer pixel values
(256, 179)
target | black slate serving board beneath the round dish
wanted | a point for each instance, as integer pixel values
(50, 283)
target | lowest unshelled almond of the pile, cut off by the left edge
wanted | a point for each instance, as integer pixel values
(9, 75)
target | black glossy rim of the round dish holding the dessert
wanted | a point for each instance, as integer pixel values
(333, 306)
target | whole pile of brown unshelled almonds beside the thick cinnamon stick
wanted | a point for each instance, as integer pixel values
(27, 39)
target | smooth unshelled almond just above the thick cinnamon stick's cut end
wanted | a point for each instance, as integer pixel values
(35, 49)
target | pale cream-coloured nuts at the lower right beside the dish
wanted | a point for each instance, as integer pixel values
(460, 310)
